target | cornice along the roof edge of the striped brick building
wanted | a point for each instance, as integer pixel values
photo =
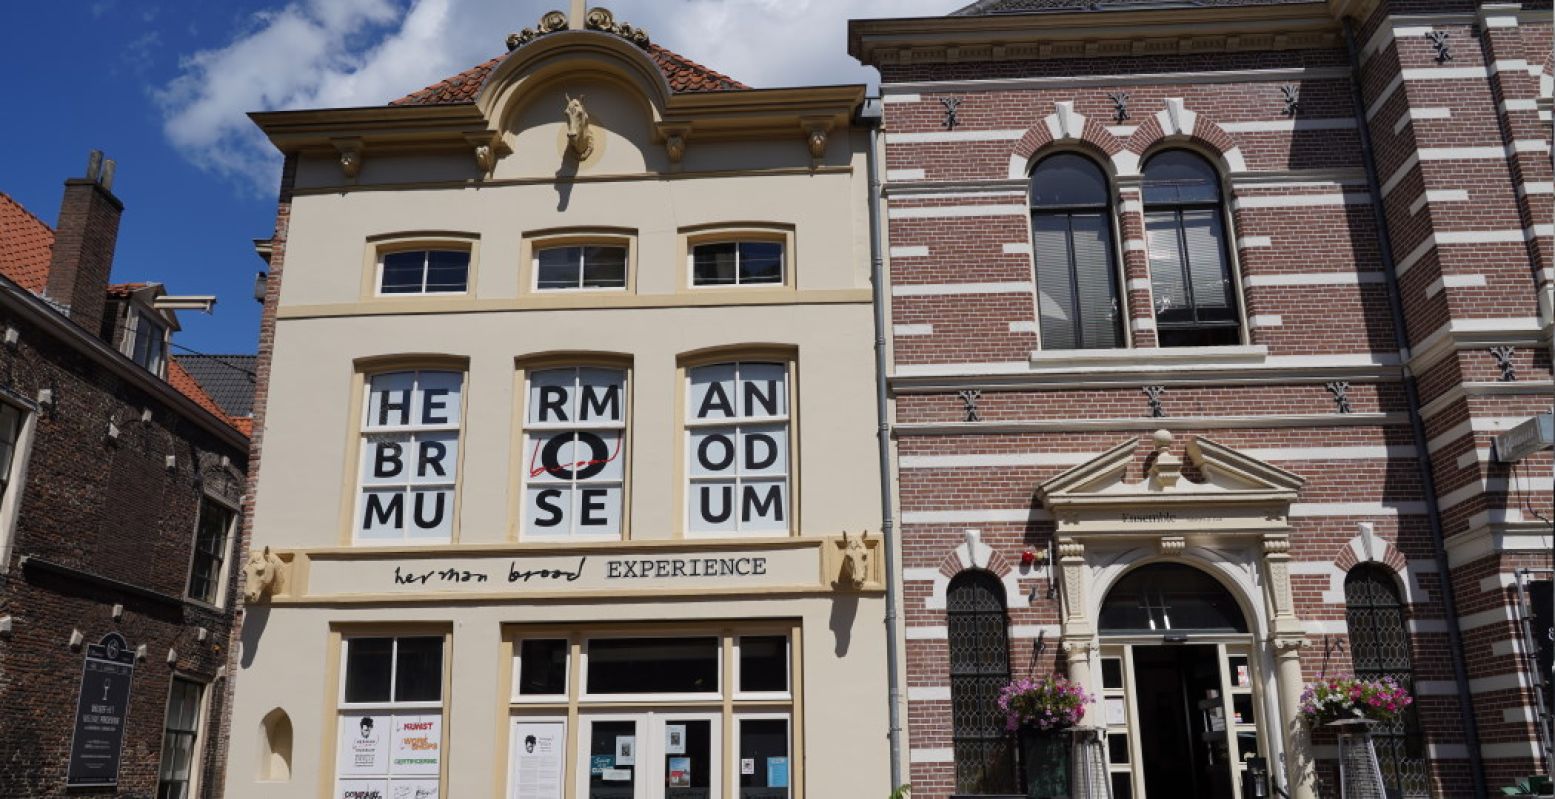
(1113, 33)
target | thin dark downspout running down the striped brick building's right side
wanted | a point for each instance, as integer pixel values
(1416, 422)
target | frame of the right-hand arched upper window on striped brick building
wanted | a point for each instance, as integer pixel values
(1229, 256)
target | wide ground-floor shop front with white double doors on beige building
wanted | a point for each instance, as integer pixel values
(652, 714)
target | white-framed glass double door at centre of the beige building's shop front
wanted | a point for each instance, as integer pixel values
(651, 756)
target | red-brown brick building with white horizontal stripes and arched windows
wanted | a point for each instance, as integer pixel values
(1313, 245)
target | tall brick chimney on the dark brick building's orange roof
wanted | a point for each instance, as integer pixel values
(85, 240)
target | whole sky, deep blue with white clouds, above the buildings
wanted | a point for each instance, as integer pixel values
(162, 89)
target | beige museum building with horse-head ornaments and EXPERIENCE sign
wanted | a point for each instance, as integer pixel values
(568, 481)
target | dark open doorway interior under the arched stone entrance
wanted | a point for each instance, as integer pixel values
(1179, 752)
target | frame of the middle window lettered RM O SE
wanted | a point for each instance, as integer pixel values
(526, 368)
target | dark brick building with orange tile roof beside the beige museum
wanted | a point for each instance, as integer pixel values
(121, 484)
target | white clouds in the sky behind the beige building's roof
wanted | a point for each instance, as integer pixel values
(335, 54)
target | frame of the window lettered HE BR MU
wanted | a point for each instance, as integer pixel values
(352, 503)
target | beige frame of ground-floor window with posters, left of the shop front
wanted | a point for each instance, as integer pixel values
(340, 710)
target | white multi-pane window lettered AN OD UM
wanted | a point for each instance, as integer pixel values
(738, 444)
